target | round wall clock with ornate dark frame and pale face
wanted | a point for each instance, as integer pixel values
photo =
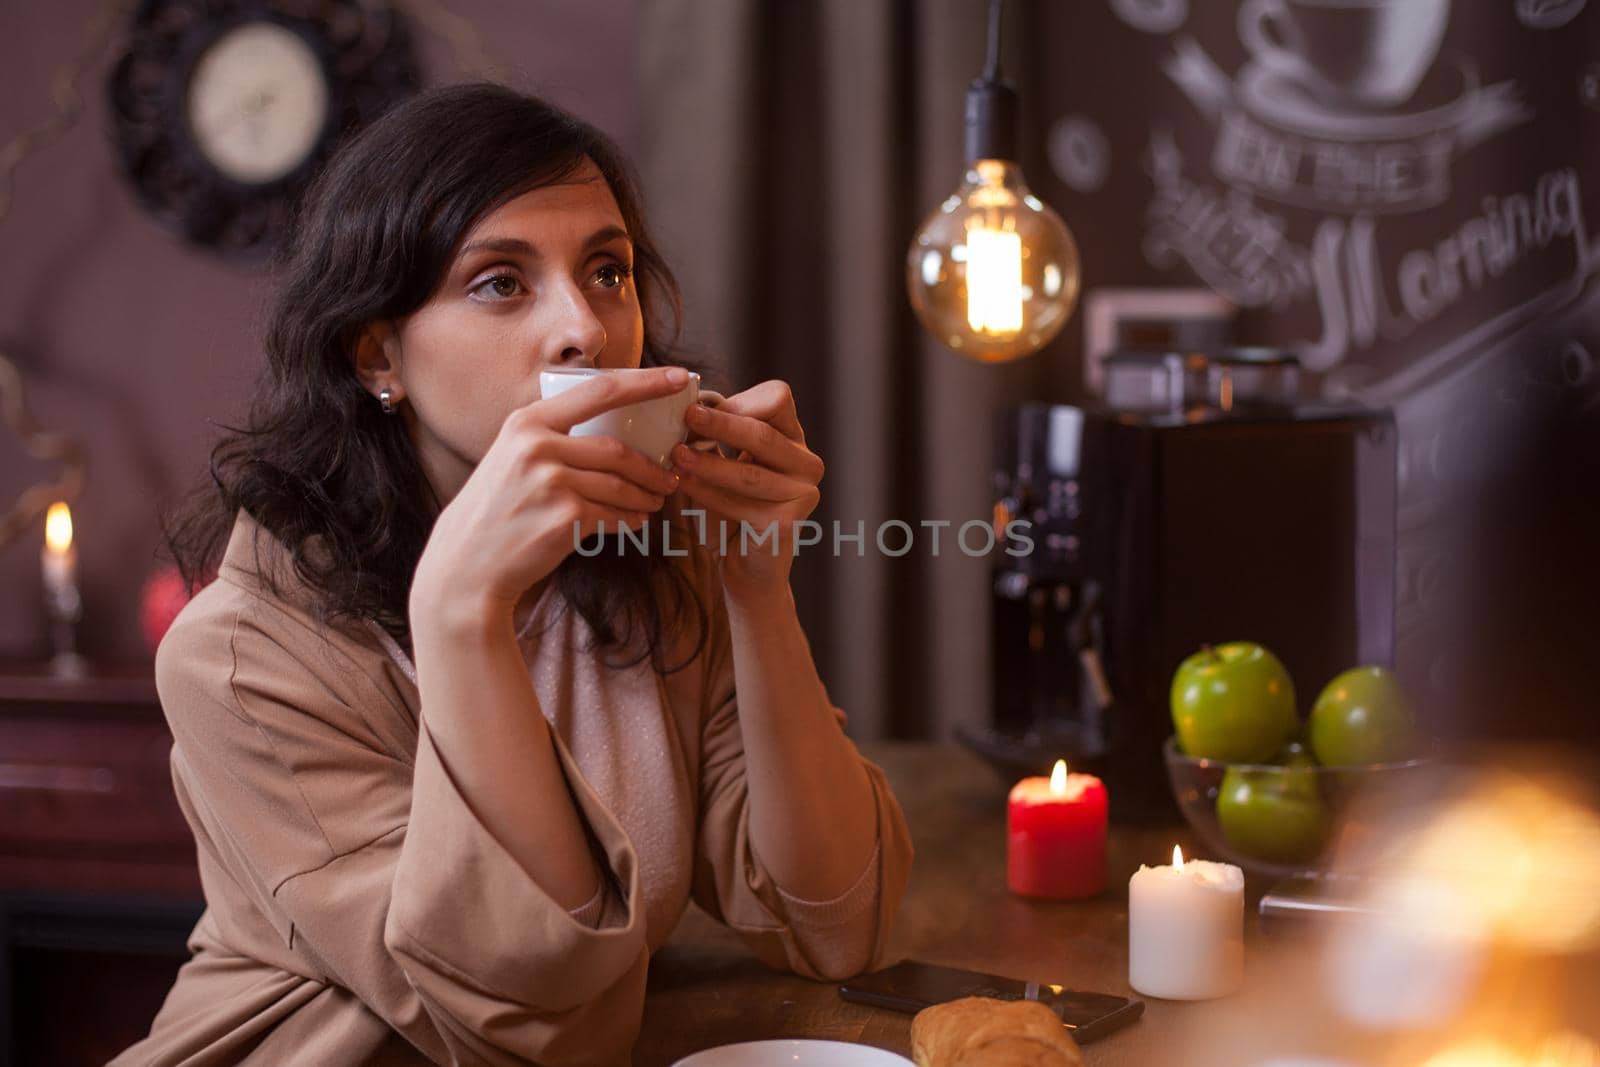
(225, 110)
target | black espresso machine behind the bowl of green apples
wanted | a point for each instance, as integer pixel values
(1204, 502)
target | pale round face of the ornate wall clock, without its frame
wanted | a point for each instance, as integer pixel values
(258, 103)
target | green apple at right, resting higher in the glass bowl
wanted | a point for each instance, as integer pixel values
(1362, 717)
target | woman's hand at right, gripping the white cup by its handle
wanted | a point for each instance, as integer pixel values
(774, 481)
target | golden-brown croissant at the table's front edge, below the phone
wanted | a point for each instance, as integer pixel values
(988, 1033)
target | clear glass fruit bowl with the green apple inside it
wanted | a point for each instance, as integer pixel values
(1276, 820)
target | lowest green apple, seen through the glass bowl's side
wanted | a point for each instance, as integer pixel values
(1273, 815)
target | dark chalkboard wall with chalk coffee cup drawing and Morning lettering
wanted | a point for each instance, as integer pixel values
(1407, 193)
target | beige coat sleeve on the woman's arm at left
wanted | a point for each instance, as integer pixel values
(378, 871)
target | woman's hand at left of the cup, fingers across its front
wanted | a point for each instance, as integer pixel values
(535, 497)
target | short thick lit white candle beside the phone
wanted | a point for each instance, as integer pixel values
(1186, 930)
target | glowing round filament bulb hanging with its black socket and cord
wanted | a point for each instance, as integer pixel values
(993, 273)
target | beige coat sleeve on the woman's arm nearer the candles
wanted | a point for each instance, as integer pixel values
(822, 940)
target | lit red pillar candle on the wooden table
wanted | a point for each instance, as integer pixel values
(1057, 836)
